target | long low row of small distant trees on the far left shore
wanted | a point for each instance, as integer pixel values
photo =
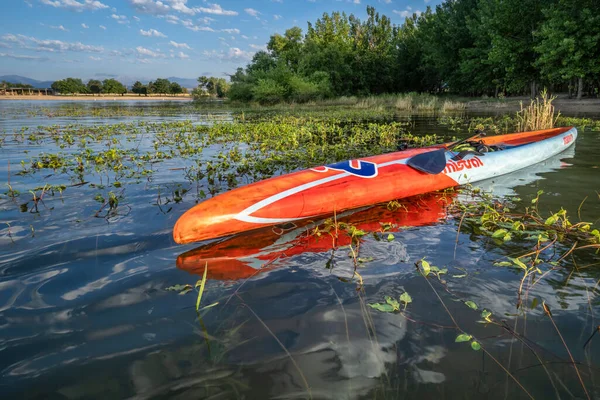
(113, 86)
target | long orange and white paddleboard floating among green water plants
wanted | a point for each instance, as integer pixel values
(357, 183)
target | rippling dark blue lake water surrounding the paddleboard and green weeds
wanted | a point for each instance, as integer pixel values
(85, 312)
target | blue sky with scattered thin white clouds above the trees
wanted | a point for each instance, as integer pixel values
(146, 39)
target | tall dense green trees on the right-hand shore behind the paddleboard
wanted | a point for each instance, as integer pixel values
(466, 47)
